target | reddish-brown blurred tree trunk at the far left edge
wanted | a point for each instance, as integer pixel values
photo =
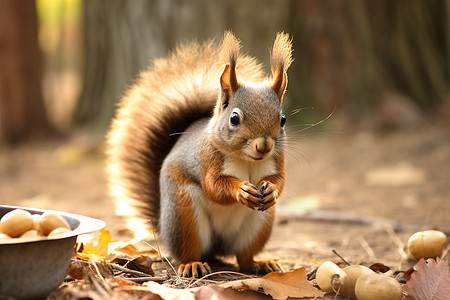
(22, 111)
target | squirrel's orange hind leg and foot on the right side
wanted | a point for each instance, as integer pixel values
(245, 258)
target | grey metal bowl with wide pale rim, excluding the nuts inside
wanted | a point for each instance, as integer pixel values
(33, 269)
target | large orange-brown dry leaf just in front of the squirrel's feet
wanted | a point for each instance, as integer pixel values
(280, 285)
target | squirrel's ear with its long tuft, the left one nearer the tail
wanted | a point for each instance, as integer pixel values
(230, 52)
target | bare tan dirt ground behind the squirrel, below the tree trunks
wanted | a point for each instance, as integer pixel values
(361, 192)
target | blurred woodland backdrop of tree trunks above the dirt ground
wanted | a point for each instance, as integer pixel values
(64, 64)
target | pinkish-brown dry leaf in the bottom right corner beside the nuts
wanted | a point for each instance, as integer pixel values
(430, 281)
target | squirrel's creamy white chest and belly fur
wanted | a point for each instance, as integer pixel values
(237, 223)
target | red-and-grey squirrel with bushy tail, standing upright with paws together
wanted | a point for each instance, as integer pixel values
(196, 147)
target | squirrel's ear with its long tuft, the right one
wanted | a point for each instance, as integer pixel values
(280, 61)
